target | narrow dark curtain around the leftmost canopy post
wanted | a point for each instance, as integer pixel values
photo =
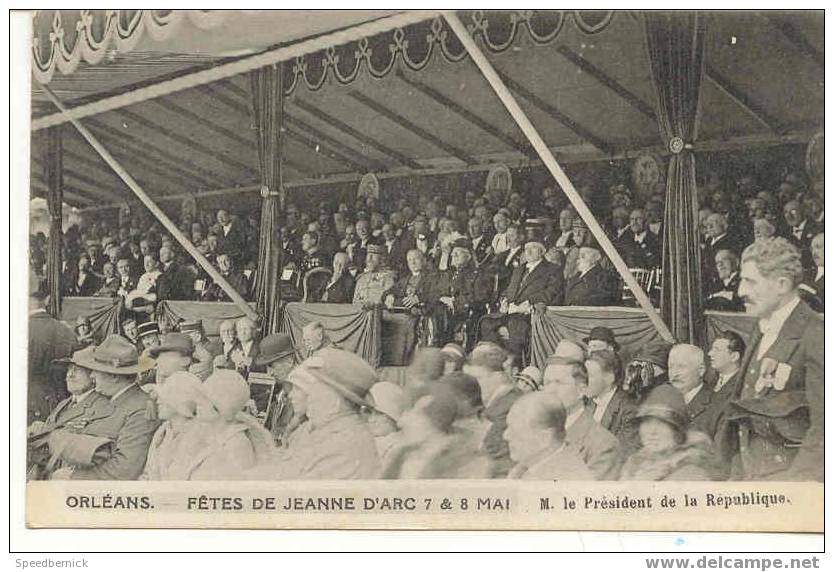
(54, 176)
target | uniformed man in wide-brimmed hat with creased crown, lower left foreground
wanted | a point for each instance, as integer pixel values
(110, 442)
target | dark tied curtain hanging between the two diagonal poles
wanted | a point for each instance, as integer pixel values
(267, 114)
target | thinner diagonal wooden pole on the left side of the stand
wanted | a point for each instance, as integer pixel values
(156, 211)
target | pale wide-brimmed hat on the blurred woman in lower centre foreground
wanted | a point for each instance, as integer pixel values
(344, 372)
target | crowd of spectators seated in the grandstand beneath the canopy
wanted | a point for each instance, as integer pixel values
(471, 271)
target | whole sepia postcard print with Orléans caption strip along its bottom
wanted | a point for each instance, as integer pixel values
(405, 269)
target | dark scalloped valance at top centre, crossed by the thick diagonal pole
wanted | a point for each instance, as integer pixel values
(414, 46)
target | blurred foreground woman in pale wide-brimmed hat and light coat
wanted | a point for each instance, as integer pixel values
(335, 442)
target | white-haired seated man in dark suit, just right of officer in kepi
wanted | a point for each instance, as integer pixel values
(537, 284)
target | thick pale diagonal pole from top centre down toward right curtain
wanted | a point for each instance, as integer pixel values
(550, 162)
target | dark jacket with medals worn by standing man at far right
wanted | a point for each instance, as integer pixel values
(800, 345)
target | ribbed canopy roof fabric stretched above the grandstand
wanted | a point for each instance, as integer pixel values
(410, 100)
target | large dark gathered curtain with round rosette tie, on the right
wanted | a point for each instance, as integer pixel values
(676, 50)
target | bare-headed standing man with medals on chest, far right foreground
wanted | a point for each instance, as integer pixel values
(780, 413)
